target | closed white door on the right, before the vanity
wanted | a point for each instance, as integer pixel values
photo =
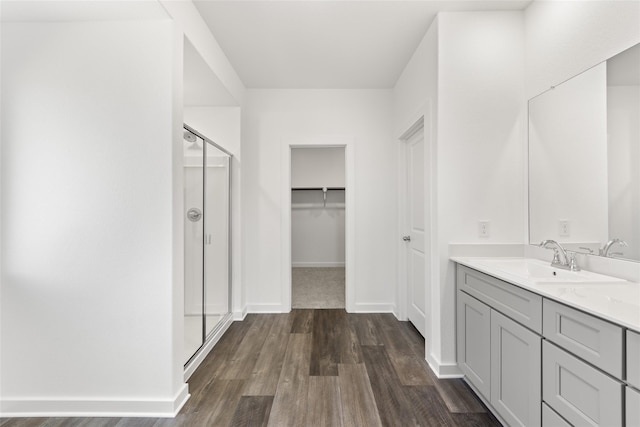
(416, 278)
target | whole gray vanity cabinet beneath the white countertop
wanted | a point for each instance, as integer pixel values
(535, 361)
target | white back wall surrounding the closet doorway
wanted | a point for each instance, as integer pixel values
(273, 118)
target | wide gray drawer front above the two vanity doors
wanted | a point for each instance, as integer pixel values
(522, 306)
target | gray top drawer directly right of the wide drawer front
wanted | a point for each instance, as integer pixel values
(592, 339)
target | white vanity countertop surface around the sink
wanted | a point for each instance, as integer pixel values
(616, 302)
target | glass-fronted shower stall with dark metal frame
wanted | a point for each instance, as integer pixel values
(207, 280)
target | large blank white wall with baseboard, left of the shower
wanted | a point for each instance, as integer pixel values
(88, 298)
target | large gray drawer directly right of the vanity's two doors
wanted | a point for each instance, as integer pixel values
(580, 393)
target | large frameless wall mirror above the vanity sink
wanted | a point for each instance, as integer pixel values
(584, 160)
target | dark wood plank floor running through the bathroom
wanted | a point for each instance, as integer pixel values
(315, 368)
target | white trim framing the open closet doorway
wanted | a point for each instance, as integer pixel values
(329, 141)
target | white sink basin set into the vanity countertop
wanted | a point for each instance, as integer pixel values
(541, 272)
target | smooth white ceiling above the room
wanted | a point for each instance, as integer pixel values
(326, 43)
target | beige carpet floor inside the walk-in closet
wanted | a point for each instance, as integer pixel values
(317, 287)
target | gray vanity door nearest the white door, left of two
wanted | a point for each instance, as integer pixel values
(473, 335)
